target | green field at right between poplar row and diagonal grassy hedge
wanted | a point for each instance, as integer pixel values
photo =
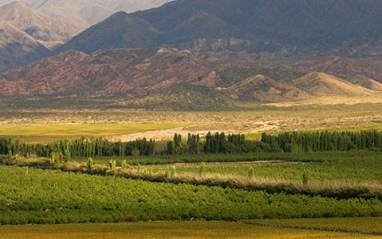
(350, 168)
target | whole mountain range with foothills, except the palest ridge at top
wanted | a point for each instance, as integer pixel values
(196, 54)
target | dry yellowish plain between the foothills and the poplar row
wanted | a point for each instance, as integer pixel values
(163, 124)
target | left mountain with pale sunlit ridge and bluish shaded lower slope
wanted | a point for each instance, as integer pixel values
(27, 35)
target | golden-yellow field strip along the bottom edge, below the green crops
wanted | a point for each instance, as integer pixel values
(165, 230)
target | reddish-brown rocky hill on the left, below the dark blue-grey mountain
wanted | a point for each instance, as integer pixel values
(104, 73)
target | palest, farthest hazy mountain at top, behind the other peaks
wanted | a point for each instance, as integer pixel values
(87, 12)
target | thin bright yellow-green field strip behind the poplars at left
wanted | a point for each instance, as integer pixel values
(48, 133)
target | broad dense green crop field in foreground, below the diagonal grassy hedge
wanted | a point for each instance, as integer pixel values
(47, 196)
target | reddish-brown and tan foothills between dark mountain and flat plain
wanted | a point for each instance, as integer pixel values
(163, 76)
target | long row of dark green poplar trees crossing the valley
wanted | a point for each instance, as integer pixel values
(212, 144)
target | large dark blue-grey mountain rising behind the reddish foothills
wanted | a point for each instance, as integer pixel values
(283, 27)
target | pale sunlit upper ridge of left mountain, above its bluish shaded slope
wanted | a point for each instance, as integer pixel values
(46, 30)
